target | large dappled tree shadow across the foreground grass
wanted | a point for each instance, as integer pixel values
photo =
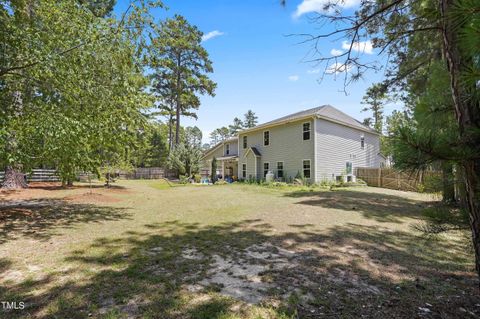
(185, 270)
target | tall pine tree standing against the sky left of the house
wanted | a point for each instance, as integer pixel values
(181, 66)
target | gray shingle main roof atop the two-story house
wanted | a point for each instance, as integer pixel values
(326, 111)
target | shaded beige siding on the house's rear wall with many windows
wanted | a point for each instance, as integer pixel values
(286, 145)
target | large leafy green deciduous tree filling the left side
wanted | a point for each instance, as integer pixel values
(72, 84)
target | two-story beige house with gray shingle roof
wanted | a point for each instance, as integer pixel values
(318, 144)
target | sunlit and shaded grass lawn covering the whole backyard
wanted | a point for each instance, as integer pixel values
(143, 249)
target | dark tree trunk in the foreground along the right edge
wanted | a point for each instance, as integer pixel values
(467, 113)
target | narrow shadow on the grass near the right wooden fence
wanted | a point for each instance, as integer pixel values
(381, 207)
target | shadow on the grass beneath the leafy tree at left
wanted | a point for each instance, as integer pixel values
(39, 218)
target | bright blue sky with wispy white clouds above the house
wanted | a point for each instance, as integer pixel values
(257, 66)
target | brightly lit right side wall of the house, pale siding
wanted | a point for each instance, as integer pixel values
(337, 144)
